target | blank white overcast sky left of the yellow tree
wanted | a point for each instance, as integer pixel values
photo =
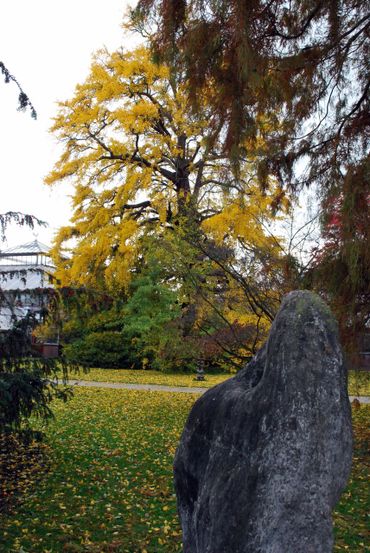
(47, 46)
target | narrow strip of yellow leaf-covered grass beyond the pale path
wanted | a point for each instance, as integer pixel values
(358, 382)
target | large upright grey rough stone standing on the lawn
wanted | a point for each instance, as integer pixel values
(265, 455)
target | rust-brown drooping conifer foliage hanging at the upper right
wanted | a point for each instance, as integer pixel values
(307, 64)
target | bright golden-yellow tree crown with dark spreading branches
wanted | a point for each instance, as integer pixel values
(143, 164)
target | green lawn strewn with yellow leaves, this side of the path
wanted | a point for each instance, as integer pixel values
(109, 486)
